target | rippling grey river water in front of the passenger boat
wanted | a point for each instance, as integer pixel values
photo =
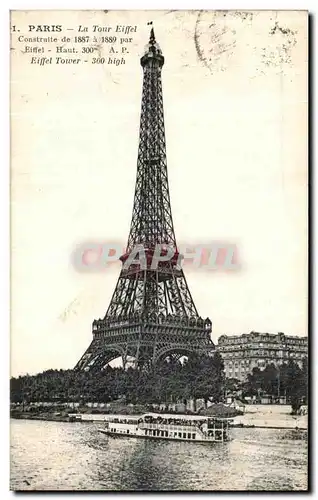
(75, 456)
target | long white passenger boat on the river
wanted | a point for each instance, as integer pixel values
(199, 429)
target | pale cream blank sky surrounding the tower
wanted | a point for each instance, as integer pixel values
(235, 103)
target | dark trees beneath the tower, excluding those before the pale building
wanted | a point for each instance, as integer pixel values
(197, 377)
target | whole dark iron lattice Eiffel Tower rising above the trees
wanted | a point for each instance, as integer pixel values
(151, 315)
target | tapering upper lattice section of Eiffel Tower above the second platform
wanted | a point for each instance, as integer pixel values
(152, 219)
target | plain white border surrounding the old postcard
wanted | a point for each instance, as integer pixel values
(4, 172)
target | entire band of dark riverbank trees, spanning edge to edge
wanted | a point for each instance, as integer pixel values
(200, 377)
